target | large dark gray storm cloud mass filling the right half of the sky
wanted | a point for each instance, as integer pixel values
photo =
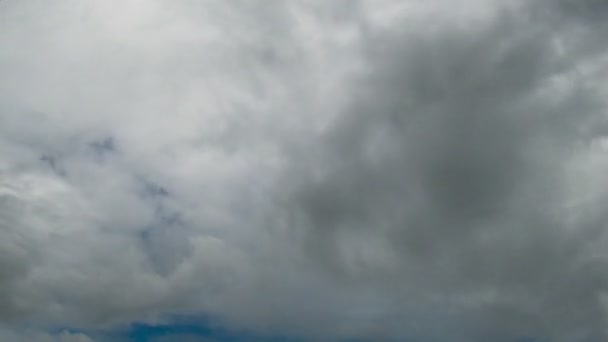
(456, 151)
